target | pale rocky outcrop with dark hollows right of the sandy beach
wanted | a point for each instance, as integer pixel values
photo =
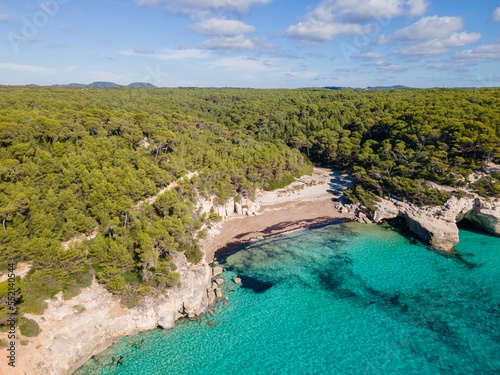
(435, 225)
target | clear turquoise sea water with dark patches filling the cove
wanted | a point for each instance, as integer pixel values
(342, 299)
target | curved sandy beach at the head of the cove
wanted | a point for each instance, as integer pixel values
(309, 201)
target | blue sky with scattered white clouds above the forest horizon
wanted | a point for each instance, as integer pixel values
(251, 43)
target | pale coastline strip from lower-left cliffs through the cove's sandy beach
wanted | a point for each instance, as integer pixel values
(95, 319)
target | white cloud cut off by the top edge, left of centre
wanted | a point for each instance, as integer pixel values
(239, 6)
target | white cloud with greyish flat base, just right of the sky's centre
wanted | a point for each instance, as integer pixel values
(313, 32)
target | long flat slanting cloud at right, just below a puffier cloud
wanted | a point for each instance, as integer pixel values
(439, 46)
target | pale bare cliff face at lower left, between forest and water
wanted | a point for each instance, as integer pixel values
(75, 330)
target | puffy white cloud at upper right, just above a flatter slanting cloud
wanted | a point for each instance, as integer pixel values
(431, 27)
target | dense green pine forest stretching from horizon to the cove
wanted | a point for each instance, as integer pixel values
(80, 160)
